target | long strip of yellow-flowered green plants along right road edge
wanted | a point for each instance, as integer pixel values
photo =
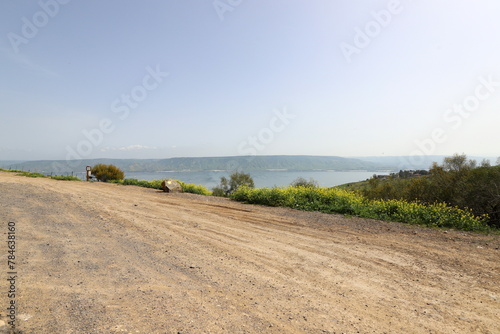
(334, 200)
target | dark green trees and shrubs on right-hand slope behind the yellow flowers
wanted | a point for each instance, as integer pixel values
(458, 182)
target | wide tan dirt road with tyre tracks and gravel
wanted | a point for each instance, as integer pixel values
(104, 258)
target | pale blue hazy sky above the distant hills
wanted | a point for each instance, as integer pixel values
(160, 79)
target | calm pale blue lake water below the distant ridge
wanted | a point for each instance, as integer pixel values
(262, 179)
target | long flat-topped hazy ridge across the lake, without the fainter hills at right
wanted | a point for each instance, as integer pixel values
(244, 163)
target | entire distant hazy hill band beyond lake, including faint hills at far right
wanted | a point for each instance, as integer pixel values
(244, 163)
